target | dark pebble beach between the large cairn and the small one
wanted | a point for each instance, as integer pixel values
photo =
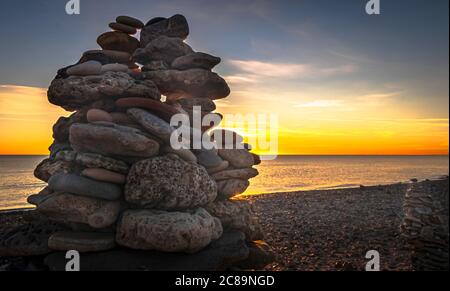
(334, 229)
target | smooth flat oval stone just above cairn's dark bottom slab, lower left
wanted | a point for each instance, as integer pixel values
(81, 241)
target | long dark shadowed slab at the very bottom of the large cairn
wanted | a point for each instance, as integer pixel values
(220, 255)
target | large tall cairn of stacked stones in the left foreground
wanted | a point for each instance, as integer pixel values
(120, 194)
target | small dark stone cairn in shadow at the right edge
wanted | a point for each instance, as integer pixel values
(426, 226)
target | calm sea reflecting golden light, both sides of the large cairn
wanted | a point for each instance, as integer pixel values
(287, 173)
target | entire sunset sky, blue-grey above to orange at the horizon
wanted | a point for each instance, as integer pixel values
(341, 81)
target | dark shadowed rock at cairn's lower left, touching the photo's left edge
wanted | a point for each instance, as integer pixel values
(27, 240)
